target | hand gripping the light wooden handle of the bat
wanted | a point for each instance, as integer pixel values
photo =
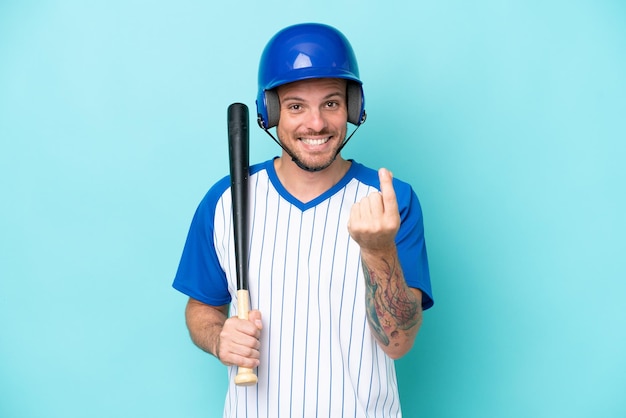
(239, 341)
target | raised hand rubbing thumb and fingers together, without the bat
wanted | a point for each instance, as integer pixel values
(375, 220)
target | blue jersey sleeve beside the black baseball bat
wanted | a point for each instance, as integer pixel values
(200, 274)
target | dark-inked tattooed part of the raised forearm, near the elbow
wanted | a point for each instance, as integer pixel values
(392, 309)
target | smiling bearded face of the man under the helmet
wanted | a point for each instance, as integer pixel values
(313, 120)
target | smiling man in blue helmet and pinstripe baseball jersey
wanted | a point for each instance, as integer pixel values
(338, 268)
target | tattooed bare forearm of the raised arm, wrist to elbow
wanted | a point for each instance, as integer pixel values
(394, 310)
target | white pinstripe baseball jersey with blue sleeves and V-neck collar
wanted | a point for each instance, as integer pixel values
(318, 356)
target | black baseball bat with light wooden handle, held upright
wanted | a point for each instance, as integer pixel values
(238, 152)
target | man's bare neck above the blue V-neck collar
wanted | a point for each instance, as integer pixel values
(306, 185)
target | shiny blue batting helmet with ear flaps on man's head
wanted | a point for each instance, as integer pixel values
(305, 51)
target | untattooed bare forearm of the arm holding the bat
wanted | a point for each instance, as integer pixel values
(205, 324)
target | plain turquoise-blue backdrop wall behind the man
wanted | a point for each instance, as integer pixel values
(506, 116)
